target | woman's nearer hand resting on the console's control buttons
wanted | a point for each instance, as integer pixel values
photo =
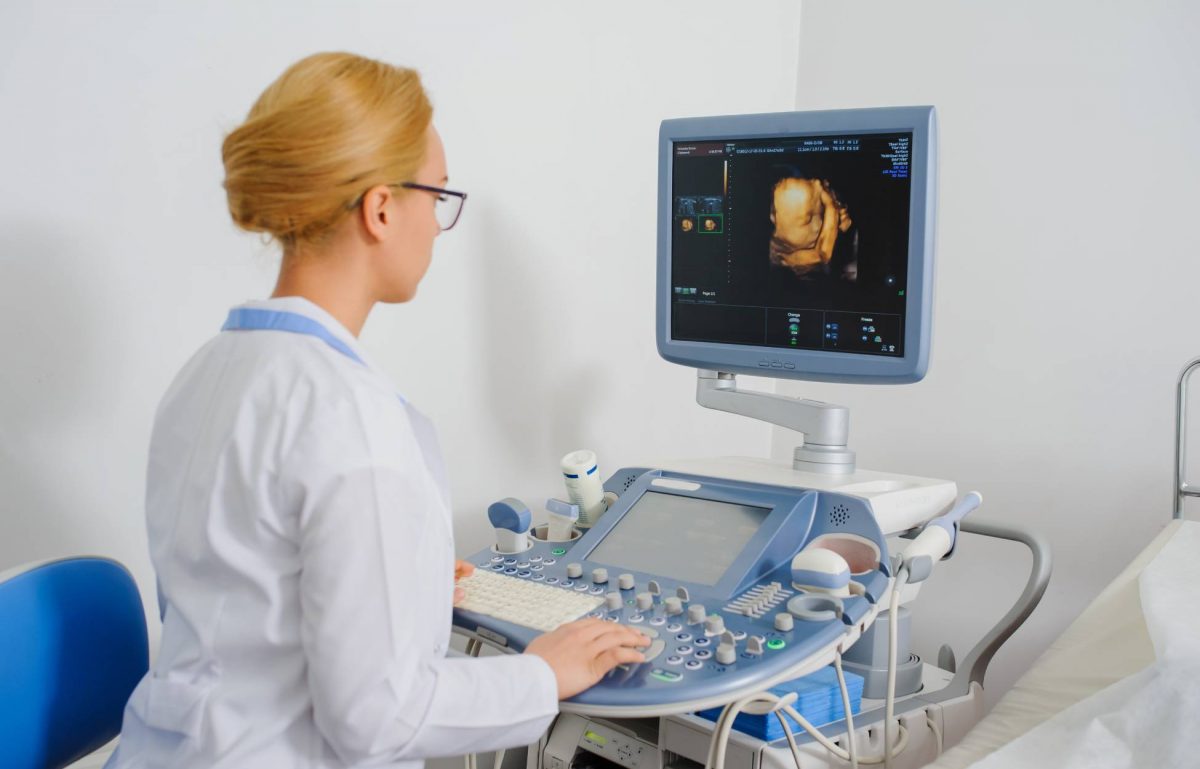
(581, 653)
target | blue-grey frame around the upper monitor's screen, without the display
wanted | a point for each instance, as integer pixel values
(813, 365)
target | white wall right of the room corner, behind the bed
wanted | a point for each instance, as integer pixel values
(1067, 271)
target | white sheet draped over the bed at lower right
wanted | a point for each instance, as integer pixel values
(1148, 719)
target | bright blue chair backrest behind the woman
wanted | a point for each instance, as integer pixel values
(73, 648)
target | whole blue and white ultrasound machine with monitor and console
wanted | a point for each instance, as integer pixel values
(797, 247)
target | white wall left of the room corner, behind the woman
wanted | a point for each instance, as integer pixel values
(533, 334)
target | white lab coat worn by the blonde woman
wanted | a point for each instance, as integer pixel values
(302, 536)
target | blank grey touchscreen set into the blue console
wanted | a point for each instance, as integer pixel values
(688, 539)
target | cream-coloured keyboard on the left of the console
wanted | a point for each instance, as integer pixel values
(523, 603)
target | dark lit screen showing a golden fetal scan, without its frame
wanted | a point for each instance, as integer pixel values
(793, 243)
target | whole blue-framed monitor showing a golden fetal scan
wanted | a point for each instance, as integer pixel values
(799, 245)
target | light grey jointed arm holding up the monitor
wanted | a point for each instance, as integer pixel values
(826, 426)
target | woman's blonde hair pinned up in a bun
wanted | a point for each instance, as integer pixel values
(331, 128)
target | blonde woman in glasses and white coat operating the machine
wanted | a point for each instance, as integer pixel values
(298, 515)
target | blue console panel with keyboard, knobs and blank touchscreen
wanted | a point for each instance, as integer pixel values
(739, 586)
